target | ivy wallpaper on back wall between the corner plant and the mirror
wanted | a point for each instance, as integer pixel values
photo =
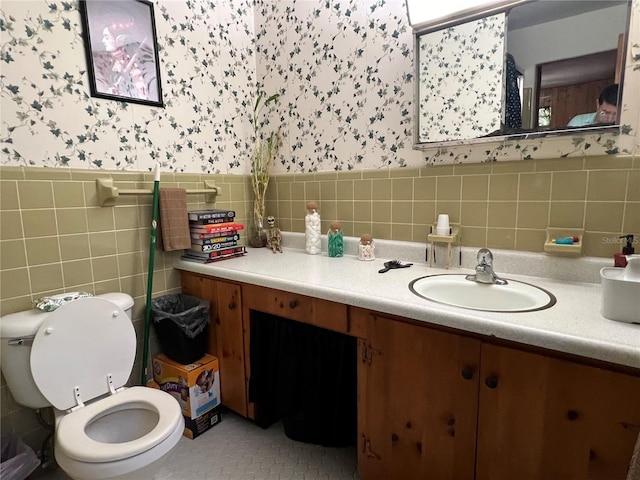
(344, 69)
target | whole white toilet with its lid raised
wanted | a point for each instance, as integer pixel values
(77, 359)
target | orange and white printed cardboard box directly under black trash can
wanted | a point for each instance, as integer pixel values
(196, 386)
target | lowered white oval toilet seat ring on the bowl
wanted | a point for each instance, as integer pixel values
(73, 441)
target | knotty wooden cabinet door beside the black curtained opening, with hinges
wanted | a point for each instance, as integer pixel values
(417, 408)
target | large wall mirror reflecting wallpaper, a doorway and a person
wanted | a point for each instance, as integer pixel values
(522, 73)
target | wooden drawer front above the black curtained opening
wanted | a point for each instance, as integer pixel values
(293, 306)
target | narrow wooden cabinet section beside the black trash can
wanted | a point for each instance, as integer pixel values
(226, 335)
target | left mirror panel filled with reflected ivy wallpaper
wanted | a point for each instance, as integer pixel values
(460, 80)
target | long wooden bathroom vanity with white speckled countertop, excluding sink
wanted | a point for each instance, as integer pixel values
(445, 392)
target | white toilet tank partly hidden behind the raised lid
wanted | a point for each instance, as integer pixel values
(16, 335)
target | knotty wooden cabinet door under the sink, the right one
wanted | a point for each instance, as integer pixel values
(543, 418)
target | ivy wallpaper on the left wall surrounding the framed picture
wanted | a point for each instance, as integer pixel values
(49, 118)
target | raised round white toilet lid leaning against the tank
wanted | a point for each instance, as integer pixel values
(81, 344)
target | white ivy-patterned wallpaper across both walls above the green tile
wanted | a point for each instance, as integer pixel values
(344, 69)
